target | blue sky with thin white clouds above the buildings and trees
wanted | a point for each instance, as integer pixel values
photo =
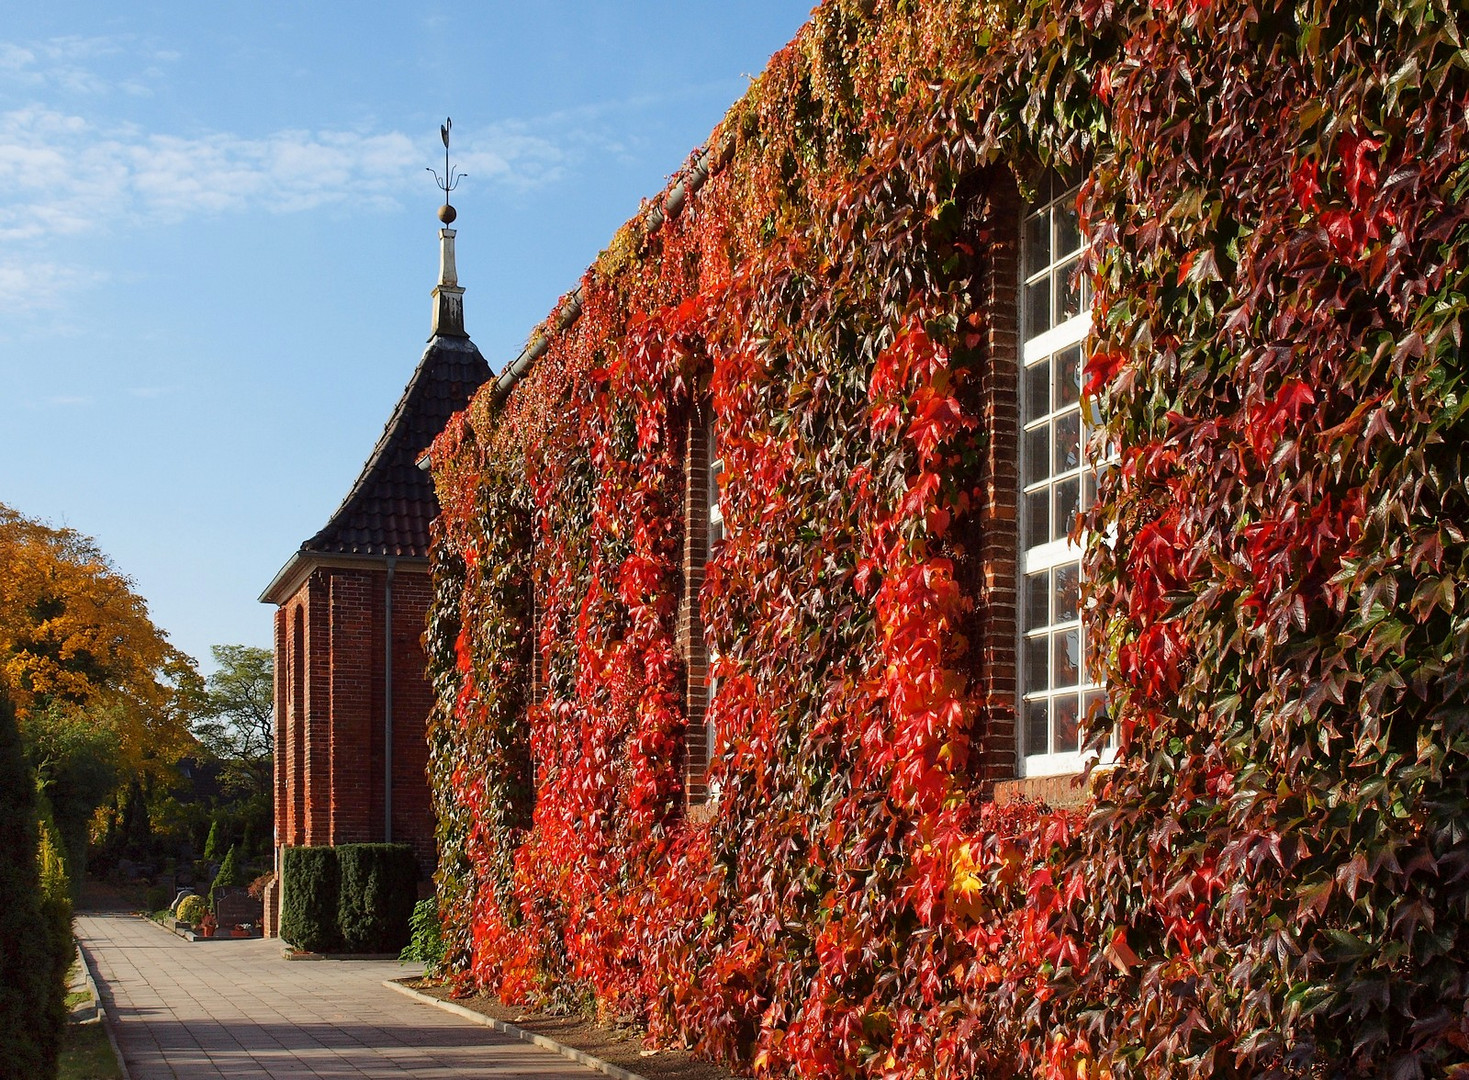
(218, 242)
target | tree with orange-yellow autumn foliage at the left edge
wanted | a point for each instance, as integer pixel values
(80, 656)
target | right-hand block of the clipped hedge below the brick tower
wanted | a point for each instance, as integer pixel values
(377, 896)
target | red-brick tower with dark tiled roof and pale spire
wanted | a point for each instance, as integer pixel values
(350, 693)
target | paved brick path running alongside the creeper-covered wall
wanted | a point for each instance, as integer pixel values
(196, 1010)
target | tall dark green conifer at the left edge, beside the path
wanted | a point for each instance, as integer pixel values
(29, 1041)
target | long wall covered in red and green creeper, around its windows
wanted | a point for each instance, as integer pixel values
(1274, 879)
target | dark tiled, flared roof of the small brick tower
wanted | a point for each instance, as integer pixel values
(390, 508)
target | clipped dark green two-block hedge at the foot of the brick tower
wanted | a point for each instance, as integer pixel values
(350, 899)
